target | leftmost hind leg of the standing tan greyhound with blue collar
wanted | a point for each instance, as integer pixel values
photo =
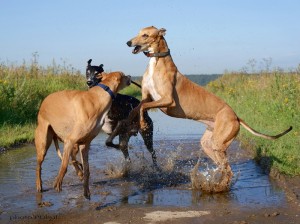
(43, 138)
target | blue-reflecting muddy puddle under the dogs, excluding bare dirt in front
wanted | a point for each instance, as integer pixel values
(176, 142)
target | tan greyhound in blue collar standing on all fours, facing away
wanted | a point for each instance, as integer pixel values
(75, 117)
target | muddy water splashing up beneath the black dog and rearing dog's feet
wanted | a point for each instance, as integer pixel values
(173, 168)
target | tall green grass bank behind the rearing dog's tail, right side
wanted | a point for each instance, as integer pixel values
(270, 103)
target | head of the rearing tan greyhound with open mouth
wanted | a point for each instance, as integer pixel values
(147, 39)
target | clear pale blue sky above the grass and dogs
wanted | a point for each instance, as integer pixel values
(204, 36)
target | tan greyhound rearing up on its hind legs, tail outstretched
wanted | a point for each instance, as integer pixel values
(164, 87)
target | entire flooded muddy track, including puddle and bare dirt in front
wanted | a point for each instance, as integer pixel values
(138, 192)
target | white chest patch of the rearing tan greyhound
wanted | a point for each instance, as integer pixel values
(148, 80)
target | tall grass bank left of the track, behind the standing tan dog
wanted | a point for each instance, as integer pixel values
(22, 89)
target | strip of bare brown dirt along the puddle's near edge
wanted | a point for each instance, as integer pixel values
(136, 214)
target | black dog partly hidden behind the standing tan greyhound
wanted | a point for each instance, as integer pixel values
(121, 106)
